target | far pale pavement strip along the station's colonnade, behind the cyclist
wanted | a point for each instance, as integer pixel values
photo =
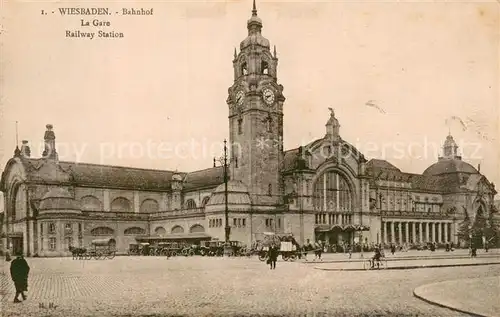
(398, 256)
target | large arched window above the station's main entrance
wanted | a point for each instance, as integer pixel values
(332, 193)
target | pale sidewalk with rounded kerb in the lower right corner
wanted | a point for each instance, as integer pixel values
(477, 297)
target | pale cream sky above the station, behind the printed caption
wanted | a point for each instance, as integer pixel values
(400, 76)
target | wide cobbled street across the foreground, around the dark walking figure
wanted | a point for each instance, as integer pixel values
(155, 286)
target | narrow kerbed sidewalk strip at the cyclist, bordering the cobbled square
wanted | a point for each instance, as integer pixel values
(407, 264)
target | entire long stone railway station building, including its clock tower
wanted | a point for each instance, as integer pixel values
(326, 190)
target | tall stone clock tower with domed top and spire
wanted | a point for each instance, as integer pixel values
(256, 117)
